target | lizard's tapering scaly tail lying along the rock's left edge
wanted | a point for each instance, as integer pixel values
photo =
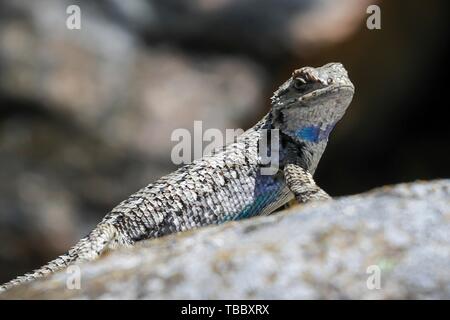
(86, 249)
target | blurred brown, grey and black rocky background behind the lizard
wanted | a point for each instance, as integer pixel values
(86, 115)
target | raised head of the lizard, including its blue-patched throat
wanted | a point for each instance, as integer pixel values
(309, 104)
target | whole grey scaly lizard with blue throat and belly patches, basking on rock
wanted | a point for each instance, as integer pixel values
(229, 183)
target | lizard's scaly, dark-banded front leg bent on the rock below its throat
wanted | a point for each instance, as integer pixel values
(302, 184)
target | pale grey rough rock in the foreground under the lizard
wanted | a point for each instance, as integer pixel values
(323, 250)
